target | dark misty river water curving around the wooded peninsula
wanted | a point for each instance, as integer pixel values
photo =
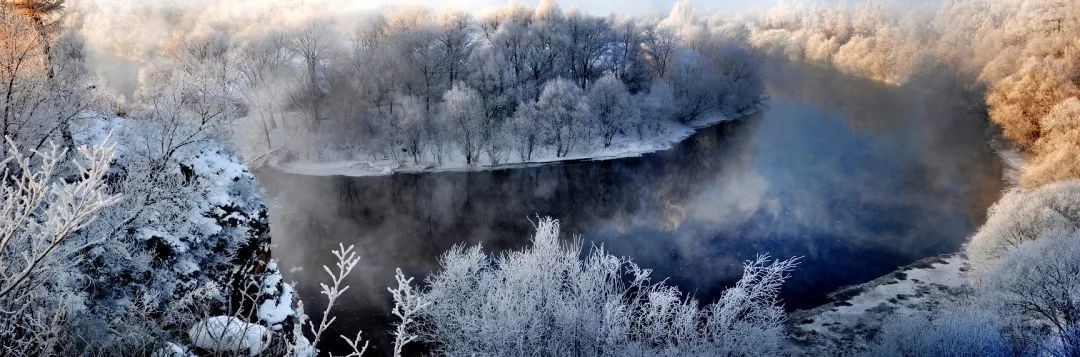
(856, 177)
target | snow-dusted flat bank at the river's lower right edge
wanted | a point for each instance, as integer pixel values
(857, 313)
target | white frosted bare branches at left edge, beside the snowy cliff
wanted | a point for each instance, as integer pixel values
(42, 211)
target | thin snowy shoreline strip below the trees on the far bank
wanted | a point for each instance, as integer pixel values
(623, 147)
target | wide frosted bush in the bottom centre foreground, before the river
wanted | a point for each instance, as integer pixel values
(551, 300)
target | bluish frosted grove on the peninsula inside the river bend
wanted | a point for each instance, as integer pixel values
(416, 88)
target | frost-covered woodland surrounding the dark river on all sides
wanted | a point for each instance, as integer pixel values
(131, 223)
